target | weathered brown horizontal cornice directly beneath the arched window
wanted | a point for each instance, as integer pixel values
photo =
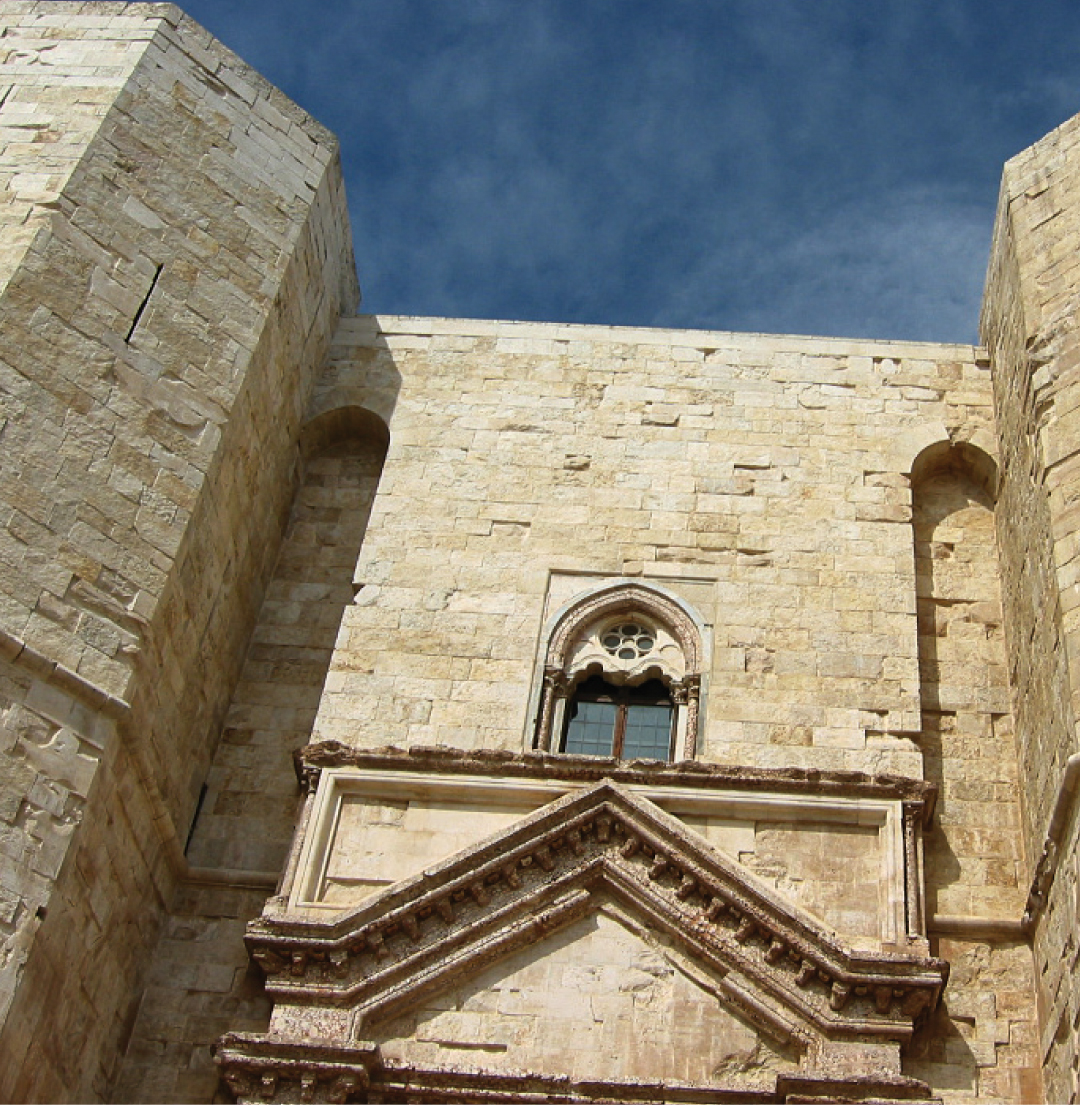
(591, 770)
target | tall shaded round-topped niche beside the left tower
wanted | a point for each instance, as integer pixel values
(251, 797)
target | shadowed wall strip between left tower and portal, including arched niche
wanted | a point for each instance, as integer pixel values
(201, 983)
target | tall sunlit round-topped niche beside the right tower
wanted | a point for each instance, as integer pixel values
(973, 851)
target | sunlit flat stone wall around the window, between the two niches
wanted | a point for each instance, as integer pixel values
(764, 480)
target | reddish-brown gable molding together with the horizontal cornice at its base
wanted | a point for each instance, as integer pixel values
(774, 966)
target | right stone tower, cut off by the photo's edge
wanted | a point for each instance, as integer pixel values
(1031, 328)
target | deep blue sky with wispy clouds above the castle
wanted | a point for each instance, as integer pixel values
(788, 166)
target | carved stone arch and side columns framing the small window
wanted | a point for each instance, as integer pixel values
(612, 603)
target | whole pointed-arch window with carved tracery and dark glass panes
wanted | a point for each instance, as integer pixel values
(623, 679)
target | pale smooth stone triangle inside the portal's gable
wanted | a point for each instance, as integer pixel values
(603, 998)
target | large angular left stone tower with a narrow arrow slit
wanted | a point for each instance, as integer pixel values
(182, 258)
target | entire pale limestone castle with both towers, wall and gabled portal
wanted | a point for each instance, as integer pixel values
(437, 710)
